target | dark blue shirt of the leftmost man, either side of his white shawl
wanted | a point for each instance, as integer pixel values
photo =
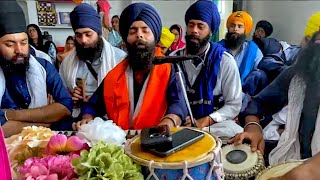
(17, 96)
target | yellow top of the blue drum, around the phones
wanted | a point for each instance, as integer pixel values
(193, 152)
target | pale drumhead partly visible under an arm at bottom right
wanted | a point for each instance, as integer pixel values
(278, 170)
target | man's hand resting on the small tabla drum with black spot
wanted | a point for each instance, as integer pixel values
(254, 135)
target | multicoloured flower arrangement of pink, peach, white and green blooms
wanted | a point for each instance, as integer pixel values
(51, 156)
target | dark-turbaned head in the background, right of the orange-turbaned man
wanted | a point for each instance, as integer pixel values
(263, 30)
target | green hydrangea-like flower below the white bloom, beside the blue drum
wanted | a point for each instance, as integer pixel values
(106, 161)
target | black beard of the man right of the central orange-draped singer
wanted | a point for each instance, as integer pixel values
(193, 48)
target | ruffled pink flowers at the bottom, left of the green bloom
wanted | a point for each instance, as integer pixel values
(49, 168)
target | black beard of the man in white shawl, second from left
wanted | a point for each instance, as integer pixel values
(90, 54)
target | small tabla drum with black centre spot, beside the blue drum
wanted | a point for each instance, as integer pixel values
(239, 162)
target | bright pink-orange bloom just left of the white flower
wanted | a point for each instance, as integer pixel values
(60, 144)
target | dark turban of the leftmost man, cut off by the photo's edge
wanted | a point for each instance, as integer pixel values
(12, 19)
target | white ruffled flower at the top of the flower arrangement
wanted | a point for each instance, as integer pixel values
(100, 130)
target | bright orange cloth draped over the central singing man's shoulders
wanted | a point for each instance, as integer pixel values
(154, 105)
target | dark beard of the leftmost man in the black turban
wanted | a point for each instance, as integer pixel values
(17, 64)
